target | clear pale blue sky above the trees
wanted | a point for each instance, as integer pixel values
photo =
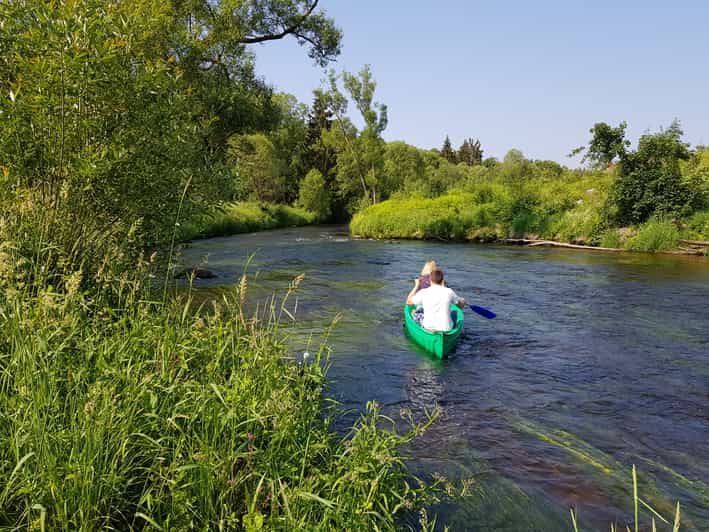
(532, 75)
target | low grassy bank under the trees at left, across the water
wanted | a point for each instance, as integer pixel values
(244, 217)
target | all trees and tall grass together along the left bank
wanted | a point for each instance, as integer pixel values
(126, 126)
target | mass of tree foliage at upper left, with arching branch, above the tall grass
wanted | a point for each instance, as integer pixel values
(119, 113)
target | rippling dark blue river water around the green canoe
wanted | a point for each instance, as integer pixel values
(595, 362)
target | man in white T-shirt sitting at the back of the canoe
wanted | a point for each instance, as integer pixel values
(436, 301)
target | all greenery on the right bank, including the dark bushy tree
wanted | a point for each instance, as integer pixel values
(643, 200)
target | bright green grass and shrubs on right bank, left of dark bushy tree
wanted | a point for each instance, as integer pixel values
(485, 204)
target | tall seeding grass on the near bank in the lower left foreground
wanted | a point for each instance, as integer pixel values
(144, 416)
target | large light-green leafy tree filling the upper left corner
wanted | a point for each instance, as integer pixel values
(97, 133)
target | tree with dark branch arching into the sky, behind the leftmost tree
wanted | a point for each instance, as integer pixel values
(209, 41)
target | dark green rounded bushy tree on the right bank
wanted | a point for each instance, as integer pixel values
(650, 181)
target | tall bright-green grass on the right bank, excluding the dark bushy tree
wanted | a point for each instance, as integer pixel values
(554, 210)
